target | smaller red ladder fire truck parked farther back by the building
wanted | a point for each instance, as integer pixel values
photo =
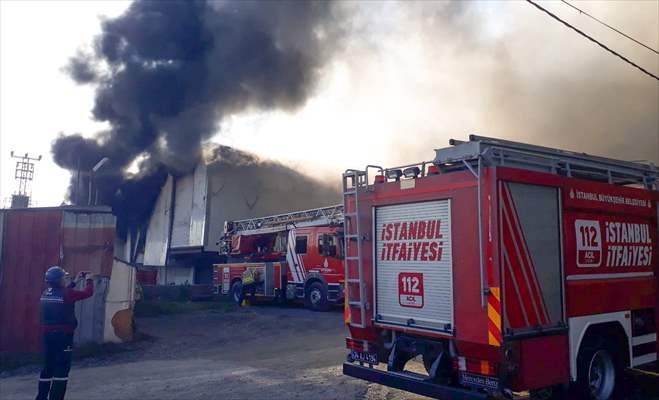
(298, 255)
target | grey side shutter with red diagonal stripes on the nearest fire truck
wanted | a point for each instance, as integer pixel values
(531, 258)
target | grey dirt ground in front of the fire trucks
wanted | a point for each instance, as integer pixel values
(261, 352)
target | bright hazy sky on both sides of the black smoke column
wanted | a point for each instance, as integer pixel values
(406, 78)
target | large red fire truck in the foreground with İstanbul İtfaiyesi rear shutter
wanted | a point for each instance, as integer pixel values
(505, 267)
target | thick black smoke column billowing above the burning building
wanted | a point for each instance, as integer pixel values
(166, 73)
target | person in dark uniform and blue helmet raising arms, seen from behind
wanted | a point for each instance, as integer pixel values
(58, 322)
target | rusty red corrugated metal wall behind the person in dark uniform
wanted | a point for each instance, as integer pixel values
(33, 239)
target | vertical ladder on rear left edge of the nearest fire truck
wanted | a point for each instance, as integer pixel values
(353, 180)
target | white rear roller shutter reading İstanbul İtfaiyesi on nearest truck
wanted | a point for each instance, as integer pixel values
(413, 265)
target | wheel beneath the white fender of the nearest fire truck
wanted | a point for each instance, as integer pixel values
(599, 370)
